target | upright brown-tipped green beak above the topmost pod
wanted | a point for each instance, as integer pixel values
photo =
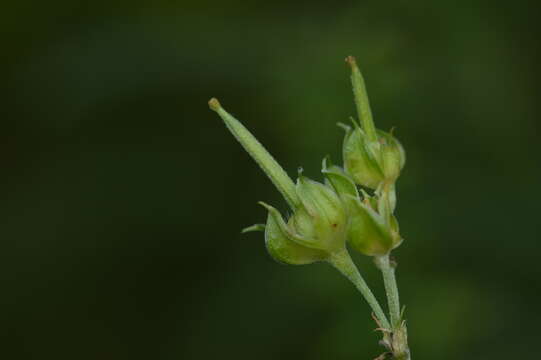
(361, 100)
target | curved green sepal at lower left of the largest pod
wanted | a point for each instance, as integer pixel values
(282, 247)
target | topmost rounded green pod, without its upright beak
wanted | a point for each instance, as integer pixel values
(371, 163)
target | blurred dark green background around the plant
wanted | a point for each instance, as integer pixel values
(123, 195)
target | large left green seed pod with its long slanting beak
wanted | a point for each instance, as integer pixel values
(317, 229)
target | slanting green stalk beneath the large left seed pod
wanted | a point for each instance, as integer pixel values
(343, 263)
